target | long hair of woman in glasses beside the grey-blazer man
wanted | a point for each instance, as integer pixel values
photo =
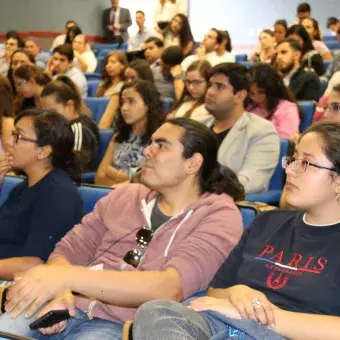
(203, 67)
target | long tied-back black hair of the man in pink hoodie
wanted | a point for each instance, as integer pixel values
(213, 178)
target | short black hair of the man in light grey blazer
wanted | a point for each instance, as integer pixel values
(237, 74)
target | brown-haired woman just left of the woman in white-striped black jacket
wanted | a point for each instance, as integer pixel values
(29, 82)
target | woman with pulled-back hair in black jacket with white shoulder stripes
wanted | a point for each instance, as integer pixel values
(63, 96)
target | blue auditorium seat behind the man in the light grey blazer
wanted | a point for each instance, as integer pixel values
(276, 184)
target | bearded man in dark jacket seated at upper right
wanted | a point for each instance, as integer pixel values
(303, 84)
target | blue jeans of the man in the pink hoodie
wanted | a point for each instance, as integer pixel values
(80, 327)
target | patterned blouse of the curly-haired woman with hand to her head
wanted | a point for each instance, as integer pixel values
(128, 154)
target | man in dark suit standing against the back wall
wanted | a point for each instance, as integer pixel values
(116, 21)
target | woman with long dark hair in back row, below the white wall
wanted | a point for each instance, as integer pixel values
(178, 33)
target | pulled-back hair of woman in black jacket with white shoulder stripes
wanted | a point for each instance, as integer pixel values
(64, 89)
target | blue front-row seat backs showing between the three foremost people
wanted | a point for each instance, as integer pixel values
(92, 194)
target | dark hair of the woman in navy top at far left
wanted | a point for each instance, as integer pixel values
(55, 130)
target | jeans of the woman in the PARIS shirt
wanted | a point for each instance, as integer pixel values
(161, 319)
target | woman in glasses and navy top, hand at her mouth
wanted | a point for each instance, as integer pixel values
(46, 205)
